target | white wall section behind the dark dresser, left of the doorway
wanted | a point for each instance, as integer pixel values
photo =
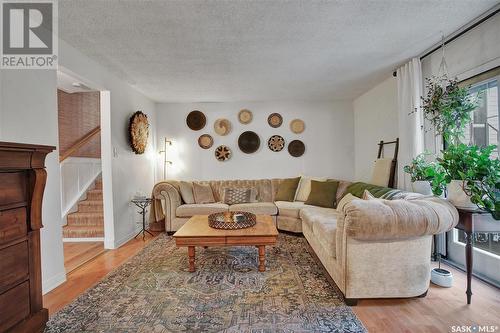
(29, 103)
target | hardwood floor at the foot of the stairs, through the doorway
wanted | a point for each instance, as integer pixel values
(78, 253)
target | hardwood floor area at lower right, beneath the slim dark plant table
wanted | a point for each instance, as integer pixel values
(441, 309)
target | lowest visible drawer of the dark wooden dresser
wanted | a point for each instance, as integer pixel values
(14, 306)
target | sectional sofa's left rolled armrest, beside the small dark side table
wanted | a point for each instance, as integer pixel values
(169, 193)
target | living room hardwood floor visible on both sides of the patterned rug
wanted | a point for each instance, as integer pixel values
(437, 312)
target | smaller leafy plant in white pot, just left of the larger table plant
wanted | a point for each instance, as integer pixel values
(423, 175)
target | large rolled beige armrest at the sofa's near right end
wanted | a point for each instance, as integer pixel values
(378, 219)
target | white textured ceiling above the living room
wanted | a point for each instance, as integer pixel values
(211, 51)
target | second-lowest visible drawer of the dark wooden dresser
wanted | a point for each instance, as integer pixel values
(14, 265)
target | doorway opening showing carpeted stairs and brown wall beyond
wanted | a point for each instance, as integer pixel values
(82, 197)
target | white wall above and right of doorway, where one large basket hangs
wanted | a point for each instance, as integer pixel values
(130, 172)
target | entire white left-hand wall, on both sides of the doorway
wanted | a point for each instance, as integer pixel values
(28, 104)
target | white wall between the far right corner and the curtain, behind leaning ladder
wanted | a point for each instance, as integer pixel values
(375, 119)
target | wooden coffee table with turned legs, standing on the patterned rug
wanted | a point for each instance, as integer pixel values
(197, 232)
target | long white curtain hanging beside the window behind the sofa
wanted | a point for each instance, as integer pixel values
(411, 121)
